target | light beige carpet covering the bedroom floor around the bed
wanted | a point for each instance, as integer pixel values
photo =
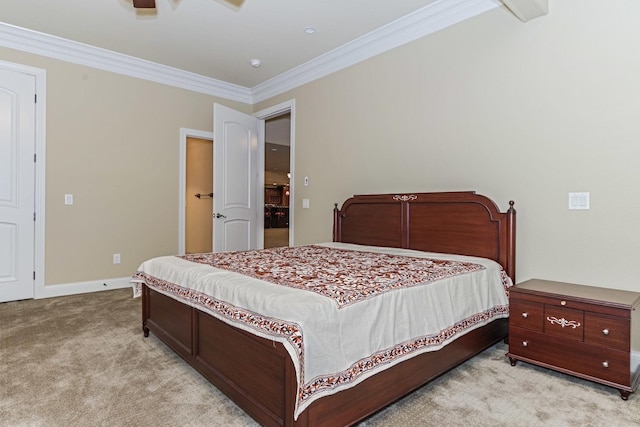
(82, 361)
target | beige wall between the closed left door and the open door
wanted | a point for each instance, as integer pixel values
(113, 142)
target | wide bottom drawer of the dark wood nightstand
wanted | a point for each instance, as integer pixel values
(602, 363)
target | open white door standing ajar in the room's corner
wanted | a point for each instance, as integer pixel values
(235, 180)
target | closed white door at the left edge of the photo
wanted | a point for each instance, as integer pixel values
(17, 174)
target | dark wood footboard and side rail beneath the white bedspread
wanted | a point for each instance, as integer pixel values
(259, 376)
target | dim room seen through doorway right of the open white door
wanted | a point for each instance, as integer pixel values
(277, 178)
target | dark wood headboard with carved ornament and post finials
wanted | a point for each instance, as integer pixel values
(463, 223)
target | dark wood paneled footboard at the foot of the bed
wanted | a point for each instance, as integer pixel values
(256, 373)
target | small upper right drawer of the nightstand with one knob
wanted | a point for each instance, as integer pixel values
(607, 331)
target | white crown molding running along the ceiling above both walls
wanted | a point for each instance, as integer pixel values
(432, 18)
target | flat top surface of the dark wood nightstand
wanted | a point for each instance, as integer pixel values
(583, 292)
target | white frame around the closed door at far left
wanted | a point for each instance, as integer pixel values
(40, 76)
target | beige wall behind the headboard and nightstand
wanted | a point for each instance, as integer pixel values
(528, 112)
